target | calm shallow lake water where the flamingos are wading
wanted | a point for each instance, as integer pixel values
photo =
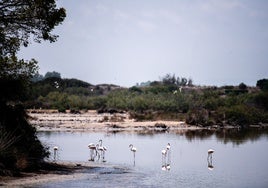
(239, 160)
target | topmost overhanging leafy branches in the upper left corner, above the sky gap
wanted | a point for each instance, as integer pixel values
(21, 19)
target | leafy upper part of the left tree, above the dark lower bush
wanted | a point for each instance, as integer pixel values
(21, 21)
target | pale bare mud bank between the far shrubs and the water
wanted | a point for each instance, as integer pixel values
(49, 120)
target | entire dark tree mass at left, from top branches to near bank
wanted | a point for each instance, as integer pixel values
(21, 21)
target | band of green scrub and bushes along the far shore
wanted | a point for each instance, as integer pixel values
(170, 99)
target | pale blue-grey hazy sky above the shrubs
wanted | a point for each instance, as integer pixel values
(214, 42)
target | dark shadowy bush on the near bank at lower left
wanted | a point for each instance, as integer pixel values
(19, 147)
